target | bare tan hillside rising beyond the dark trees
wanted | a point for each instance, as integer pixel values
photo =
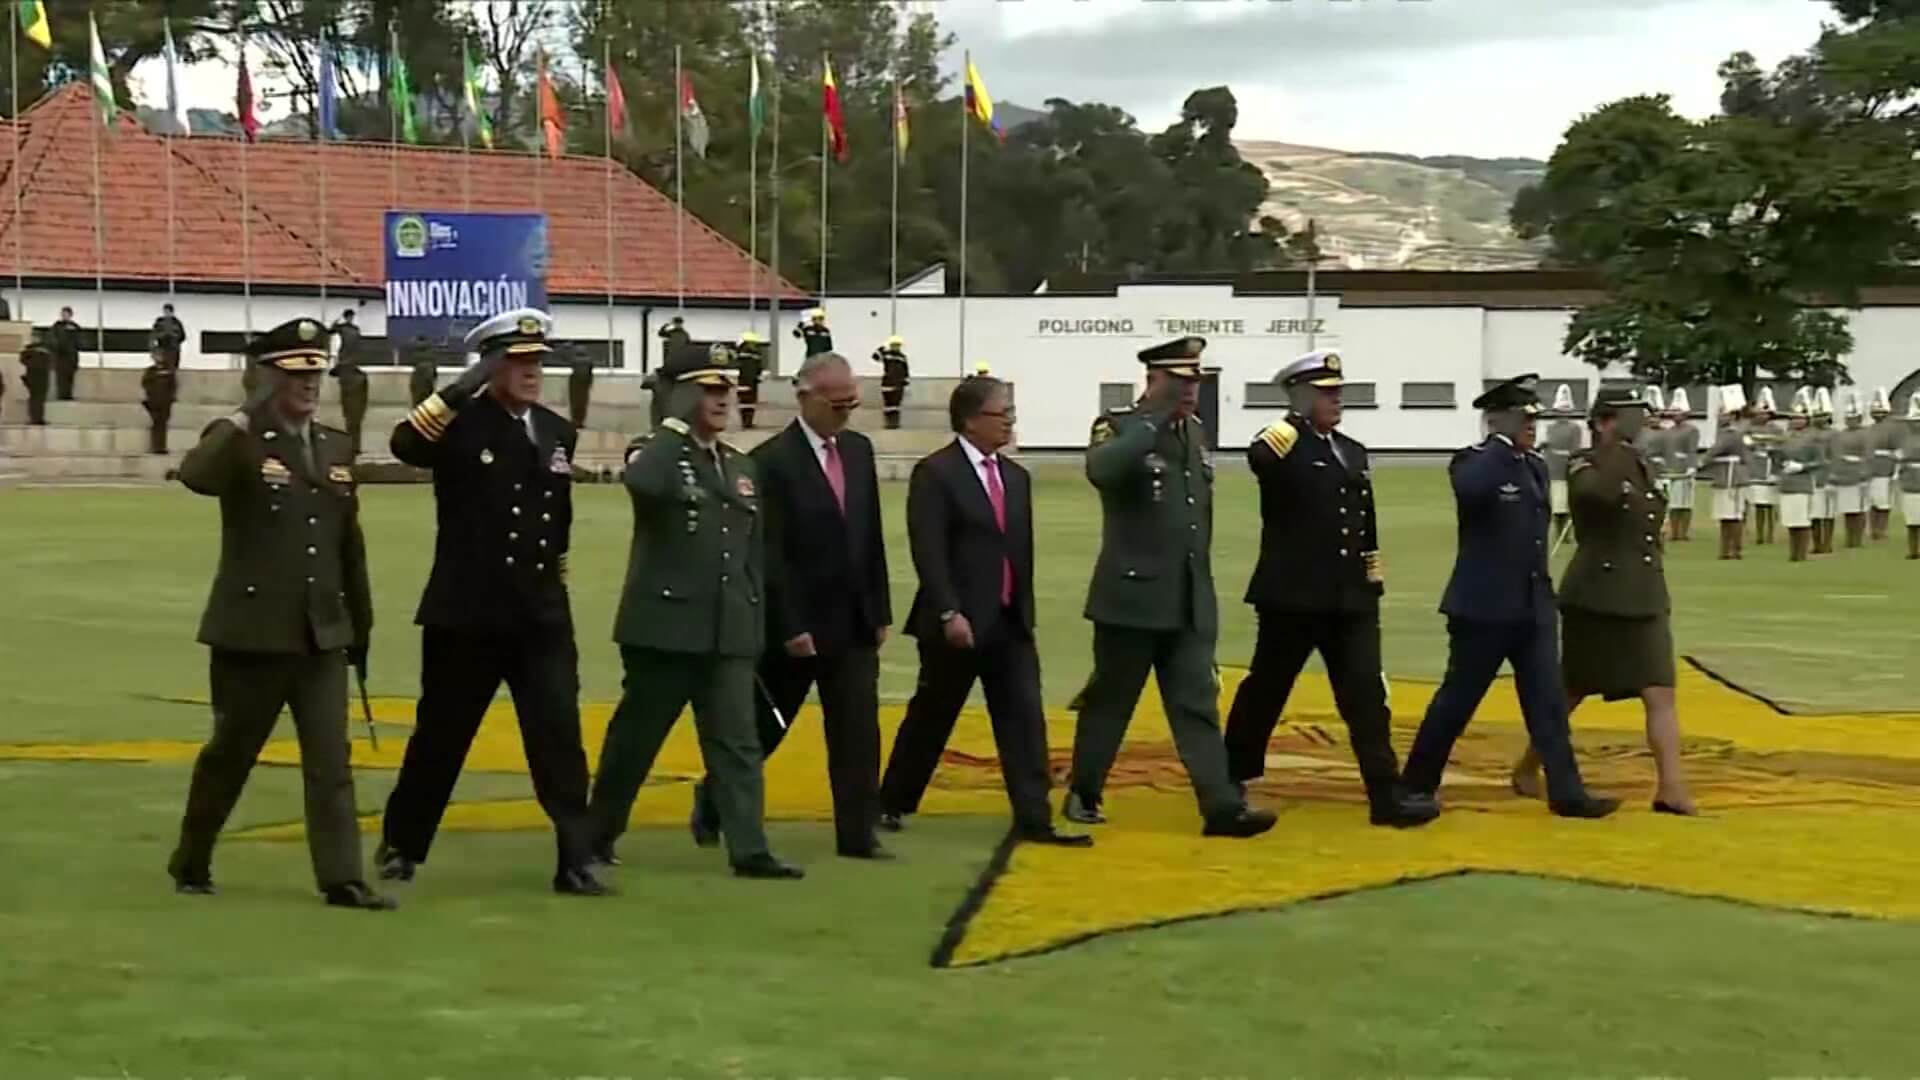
(1381, 210)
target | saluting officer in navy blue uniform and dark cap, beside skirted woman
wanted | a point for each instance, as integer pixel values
(1500, 604)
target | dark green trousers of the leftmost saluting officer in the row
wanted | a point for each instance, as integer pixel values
(249, 695)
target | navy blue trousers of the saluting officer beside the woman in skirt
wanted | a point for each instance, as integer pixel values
(1474, 658)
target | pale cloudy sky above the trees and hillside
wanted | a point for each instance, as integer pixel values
(1487, 78)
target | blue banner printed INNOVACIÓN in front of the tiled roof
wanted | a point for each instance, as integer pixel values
(450, 272)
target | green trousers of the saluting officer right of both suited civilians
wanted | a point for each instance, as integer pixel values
(1184, 666)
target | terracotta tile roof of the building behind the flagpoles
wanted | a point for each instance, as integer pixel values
(57, 141)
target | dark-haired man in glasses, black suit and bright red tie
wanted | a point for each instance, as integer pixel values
(971, 526)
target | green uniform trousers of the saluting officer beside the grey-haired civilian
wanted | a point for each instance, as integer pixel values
(658, 687)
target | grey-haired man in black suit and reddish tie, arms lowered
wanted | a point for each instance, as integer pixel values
(828, 602)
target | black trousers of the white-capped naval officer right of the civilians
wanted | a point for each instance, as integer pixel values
(1351, 645)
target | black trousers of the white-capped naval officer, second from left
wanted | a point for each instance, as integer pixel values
(460, 674)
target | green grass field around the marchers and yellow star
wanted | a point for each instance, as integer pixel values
(690, 973)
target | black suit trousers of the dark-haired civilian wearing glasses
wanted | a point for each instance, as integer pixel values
(1009, 670)
